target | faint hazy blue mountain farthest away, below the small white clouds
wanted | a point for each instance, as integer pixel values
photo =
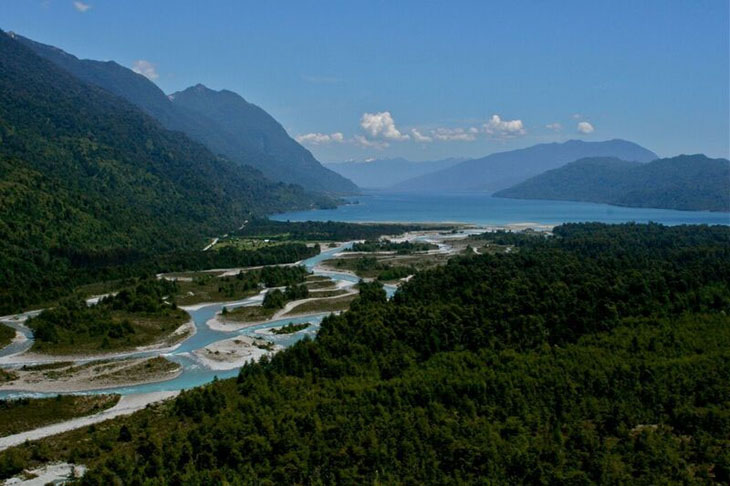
(381, 173)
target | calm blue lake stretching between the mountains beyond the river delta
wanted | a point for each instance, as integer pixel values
(480, 208)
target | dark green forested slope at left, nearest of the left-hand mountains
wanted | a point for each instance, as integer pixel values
(85, 175)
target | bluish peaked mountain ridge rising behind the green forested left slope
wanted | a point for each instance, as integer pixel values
(221, 120)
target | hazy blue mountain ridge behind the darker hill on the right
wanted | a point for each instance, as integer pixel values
(505, 169)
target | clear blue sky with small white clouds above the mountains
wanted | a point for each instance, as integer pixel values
(426, 80)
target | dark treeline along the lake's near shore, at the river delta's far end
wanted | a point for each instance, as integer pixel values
(325, 230)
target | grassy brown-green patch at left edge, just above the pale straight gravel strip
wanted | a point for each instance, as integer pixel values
(29, 413)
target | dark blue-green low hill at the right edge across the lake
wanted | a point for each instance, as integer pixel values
(690, 182)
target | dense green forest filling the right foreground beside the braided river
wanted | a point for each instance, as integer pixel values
(600, 355)
